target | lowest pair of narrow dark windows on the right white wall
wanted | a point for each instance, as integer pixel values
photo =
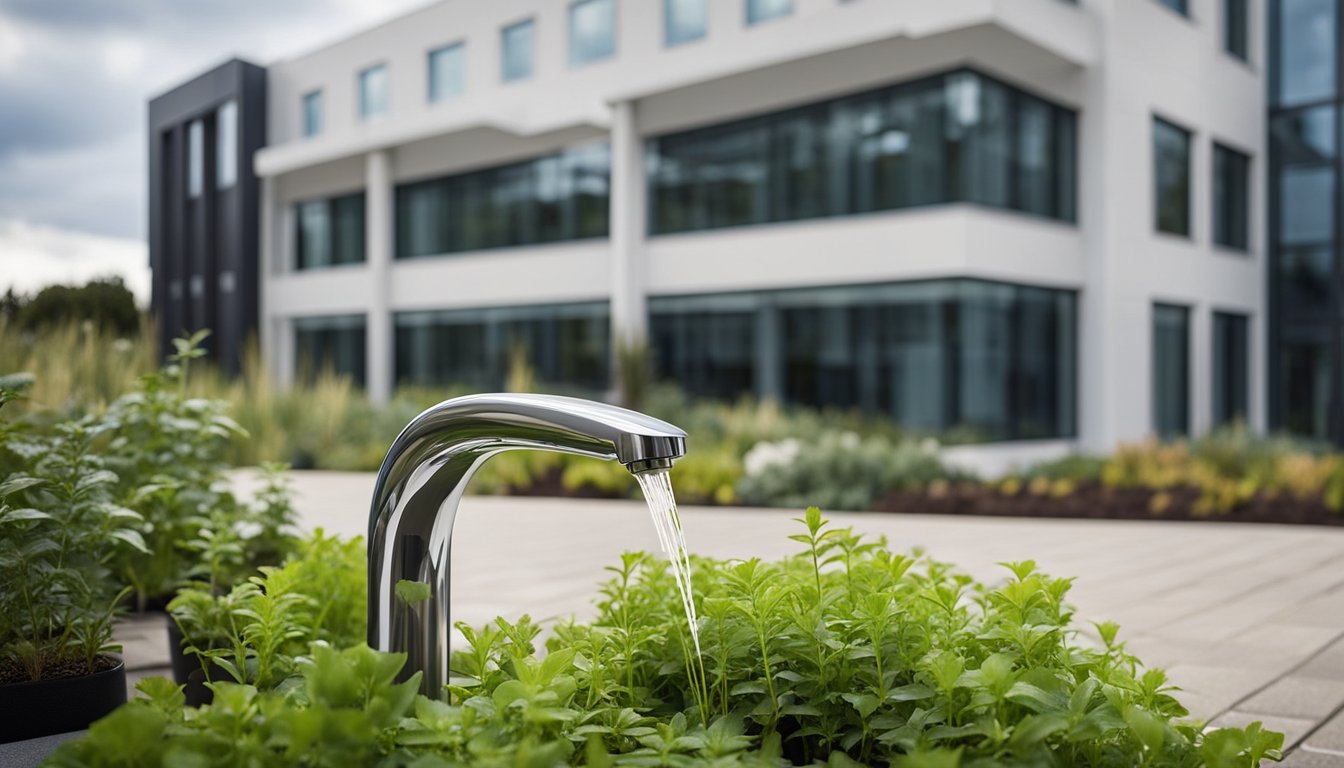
(1171, 385)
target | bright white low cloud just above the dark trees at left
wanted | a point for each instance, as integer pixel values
(37, 256)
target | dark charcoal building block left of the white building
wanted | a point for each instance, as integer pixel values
(204, 212)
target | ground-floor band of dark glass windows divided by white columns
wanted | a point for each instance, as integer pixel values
(993, 361)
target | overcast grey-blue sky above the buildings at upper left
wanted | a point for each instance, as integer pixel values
(75, 81)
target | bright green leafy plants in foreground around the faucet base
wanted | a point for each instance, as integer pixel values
(845, 654)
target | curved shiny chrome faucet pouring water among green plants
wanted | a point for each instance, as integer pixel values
(423, 481)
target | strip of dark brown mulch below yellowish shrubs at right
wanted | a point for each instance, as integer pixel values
(1093, 501)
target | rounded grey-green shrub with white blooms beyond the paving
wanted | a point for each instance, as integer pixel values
(839, 470)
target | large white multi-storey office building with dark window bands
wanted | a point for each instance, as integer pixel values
(1032, 221)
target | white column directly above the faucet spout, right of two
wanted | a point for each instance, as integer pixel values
(630, 306)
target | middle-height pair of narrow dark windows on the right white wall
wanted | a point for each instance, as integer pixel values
(1173, 188)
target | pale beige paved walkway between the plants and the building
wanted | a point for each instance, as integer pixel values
(1249, 621)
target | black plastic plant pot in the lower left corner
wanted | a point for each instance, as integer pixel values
(45, 708)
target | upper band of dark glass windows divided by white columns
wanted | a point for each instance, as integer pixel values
(955, 138)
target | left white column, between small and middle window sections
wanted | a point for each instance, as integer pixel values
(378, 252)
